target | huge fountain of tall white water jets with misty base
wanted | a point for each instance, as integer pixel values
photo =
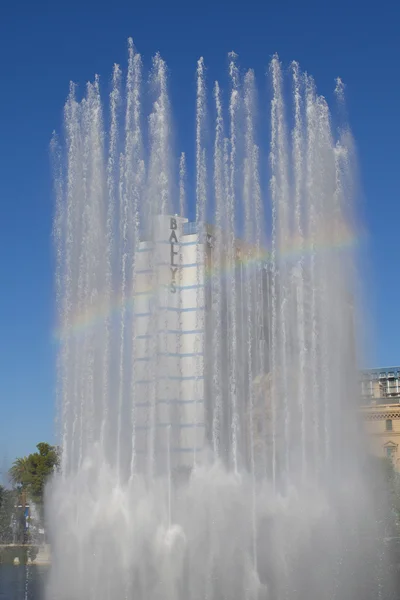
(206, 370)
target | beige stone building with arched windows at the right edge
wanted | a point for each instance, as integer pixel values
(380, 409)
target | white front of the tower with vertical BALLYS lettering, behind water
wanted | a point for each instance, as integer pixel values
(169, 310)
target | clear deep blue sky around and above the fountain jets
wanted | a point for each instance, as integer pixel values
(43, 45)
